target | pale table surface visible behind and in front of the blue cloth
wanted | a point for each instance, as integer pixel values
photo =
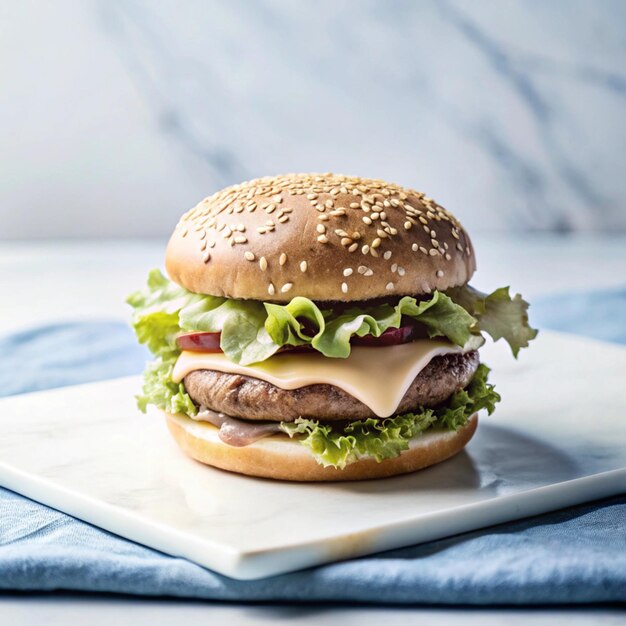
(60, 280)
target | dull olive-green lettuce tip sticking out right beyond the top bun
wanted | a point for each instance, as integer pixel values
(498, 314)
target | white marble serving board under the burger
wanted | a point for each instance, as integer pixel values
(557, 439)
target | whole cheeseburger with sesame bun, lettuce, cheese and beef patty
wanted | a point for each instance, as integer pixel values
(321, 327)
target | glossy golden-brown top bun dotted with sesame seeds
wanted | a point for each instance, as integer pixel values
(321, 236)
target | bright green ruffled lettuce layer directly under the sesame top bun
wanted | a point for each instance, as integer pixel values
(253, 331)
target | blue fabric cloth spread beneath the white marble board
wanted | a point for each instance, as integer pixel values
(574, 555)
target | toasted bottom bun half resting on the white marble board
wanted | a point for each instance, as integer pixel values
(282, 458)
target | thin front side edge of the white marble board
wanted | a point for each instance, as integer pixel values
(252, 565)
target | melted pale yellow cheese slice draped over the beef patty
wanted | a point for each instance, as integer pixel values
(379, 377)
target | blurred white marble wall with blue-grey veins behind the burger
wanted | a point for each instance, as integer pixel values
(115, 116)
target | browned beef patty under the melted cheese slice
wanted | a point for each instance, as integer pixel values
(250, 398)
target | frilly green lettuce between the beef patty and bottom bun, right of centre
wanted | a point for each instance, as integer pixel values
(388, 438)
